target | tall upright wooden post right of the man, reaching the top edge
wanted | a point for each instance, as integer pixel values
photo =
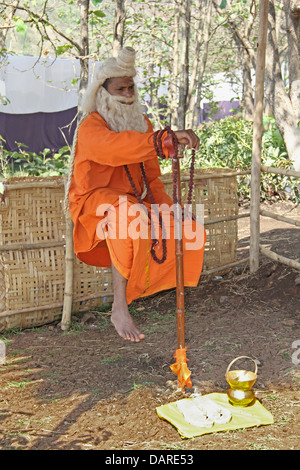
(257, 136)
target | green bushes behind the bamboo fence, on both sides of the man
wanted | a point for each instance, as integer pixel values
(223, 144)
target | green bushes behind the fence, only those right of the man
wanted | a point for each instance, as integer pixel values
(228, 144)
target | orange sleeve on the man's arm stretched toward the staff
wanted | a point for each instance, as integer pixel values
(96, 142)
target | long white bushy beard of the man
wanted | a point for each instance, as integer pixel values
(119, 116)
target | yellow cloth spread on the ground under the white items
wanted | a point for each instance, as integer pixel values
(242, 417)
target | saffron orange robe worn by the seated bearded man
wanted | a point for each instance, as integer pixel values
(100, 181)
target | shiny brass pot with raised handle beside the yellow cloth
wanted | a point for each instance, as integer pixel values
(241, 383)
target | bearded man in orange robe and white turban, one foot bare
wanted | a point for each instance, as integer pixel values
(112, 149)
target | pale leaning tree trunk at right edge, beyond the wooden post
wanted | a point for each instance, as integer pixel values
(280, 102)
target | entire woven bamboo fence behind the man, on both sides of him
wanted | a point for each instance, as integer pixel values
(32, 246)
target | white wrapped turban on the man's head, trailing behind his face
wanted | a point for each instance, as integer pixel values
(121, 66)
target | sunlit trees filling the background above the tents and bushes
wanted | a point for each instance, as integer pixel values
(181, 44)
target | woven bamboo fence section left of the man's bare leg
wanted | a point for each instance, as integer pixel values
(32, 257)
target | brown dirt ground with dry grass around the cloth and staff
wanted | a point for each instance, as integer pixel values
(87, 389)
